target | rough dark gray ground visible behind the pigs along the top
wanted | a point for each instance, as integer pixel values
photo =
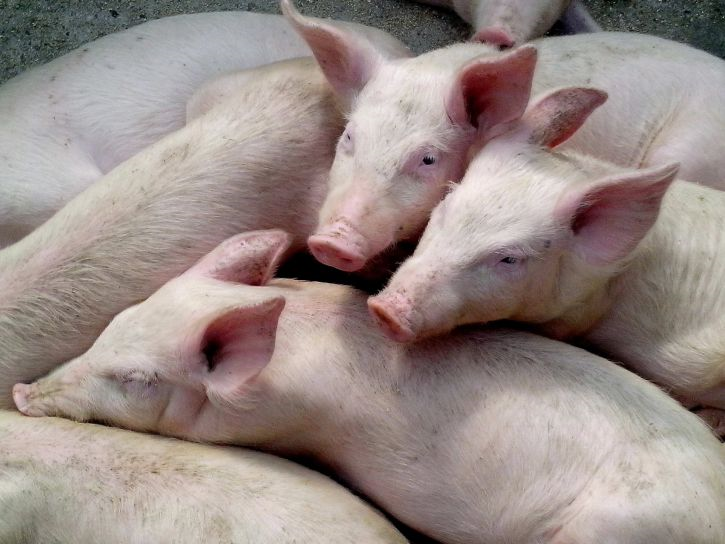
(35, 31)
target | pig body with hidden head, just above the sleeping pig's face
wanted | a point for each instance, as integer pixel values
(258, 160)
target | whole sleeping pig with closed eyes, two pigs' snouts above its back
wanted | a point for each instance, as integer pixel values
(483, 436)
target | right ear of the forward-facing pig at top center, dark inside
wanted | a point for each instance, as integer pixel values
(489, 91)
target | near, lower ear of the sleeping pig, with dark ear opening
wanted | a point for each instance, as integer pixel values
(237, 344)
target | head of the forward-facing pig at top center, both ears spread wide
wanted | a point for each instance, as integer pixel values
(411, 123)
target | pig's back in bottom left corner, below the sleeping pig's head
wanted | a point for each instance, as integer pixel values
(70, 483)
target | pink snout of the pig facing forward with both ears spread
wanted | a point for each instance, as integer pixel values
(340, 246)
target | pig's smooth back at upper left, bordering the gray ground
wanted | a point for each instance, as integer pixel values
(68, 123)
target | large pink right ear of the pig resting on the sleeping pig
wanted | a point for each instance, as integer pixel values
(609, 219)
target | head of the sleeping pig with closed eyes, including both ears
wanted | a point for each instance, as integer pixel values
(176, 362)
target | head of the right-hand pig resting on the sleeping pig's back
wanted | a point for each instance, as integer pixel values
(528, 235)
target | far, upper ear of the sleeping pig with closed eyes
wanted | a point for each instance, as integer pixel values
(250, 258)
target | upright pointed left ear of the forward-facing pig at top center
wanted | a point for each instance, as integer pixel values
(347, 59)
